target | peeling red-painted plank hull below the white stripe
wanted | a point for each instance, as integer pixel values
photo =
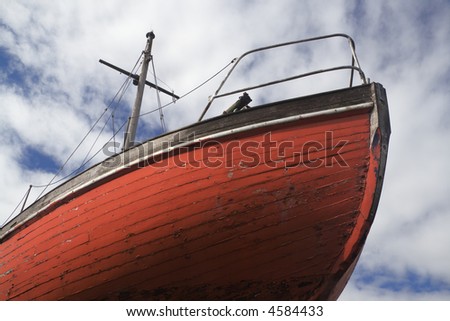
(186, 233)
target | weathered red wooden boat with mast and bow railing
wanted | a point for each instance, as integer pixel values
(270, 202)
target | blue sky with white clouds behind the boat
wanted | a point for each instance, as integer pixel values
(53, 90)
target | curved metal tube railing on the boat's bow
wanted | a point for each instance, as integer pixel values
(355, 66)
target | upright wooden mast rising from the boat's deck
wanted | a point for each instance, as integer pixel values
(130, 134)
